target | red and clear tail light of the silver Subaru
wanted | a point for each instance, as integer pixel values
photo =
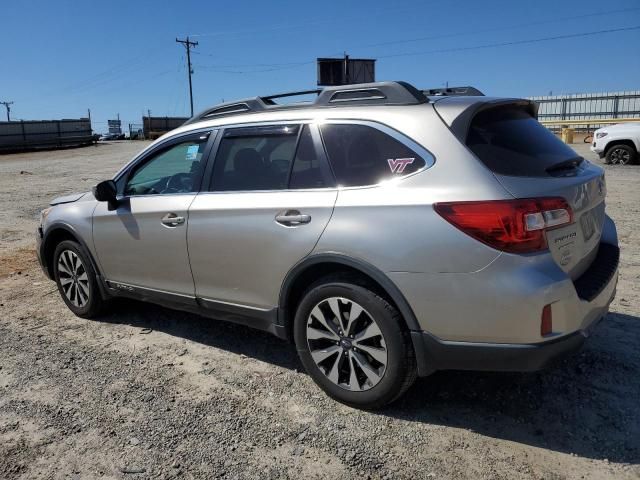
(514, 226)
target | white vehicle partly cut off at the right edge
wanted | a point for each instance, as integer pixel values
(619, 144)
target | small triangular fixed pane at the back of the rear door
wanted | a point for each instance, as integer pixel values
(309, 171)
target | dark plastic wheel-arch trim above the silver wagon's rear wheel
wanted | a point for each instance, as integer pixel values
(316, 266)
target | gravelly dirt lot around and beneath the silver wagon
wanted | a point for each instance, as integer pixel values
(151, 393)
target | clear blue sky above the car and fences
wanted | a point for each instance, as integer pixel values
(60, 58)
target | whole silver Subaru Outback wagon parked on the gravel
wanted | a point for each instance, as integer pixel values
(389, 232)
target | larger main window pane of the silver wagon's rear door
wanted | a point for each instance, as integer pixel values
(255, 158)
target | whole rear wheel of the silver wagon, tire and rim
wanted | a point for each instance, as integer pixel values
(353, 343)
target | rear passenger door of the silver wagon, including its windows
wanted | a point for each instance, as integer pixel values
(270, 197)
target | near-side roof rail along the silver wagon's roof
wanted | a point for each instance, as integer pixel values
(378, 93)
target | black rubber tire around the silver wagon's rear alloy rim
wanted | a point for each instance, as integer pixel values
(400, 371)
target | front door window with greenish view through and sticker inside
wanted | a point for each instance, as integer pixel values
(176, 169)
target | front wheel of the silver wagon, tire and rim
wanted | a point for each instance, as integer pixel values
(92, 303)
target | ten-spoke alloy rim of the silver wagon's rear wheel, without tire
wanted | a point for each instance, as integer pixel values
(346, 344)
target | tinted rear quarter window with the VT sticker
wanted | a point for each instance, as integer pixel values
(363, 155)
